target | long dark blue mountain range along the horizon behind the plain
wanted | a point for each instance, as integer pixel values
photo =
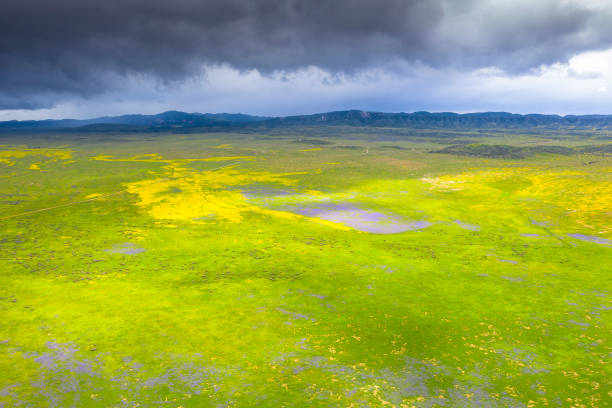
(192, 121)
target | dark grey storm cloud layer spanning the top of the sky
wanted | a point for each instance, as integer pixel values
(83, 47)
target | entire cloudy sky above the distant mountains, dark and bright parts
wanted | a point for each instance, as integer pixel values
(90, 58)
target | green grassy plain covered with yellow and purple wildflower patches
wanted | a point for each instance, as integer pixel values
(229, 270)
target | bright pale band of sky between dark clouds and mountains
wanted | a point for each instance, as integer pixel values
(579, 87)
